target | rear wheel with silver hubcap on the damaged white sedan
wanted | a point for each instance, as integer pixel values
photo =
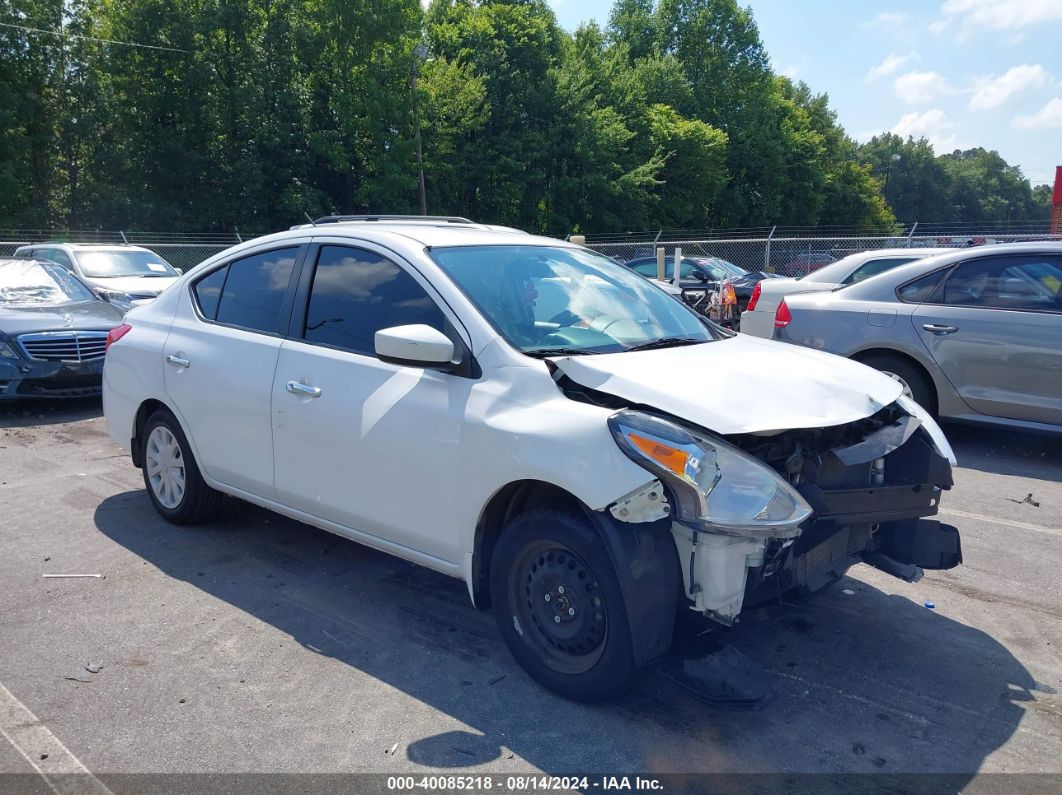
(175, 485)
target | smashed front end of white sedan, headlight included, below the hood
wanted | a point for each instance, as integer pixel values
(827, 499)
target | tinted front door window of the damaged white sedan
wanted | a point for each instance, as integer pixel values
(356, 293)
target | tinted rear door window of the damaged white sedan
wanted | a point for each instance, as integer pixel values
(254, 290)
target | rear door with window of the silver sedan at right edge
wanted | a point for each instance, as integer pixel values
(995, 327)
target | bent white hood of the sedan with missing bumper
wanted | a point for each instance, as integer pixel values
(741, 385)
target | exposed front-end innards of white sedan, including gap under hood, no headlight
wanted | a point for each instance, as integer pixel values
(870, 483)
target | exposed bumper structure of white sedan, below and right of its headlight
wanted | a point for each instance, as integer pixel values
(881, 523)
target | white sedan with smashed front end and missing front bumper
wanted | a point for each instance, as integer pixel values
(587, 454)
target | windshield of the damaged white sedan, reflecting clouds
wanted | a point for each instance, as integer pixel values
(546, 301)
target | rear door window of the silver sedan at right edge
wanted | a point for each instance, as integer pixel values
(1021, 282)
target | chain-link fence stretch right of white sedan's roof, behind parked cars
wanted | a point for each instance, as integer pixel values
(793, 254)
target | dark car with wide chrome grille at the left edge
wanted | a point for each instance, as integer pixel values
(54, 332)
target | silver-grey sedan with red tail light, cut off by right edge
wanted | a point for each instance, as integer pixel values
(974, 336)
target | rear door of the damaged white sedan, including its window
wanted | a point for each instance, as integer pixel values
(220, 358)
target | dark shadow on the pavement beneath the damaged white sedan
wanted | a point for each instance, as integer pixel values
(867, 682)
